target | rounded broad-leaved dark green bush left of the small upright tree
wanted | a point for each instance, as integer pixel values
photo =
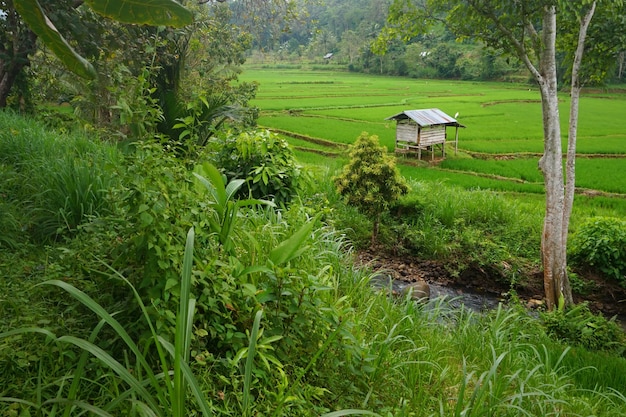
(265, 162)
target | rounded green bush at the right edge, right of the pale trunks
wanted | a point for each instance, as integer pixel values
(600, 243)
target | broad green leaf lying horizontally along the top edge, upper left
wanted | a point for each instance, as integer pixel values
(148, 12)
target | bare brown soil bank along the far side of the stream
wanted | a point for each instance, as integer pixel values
(602, 296)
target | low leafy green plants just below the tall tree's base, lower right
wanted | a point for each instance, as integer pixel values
(578, 326)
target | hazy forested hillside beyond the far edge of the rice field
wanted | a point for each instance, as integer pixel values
(347, 29)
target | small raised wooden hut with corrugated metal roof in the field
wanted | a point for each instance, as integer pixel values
(418, 130)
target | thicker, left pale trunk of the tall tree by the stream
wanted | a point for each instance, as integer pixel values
(553, 250)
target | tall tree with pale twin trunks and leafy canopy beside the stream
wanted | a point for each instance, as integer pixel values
(527, 30)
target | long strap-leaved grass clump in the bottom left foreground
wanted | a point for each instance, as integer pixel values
(149, 392)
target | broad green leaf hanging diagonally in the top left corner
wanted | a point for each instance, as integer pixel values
(34, 16)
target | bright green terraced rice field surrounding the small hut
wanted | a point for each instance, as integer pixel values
(498, 149)
